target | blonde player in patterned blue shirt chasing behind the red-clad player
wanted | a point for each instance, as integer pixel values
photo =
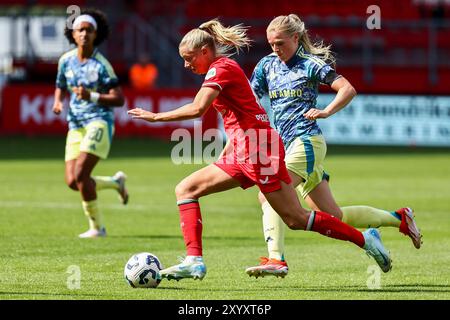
(290, 78)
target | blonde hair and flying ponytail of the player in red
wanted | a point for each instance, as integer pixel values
(222, 39)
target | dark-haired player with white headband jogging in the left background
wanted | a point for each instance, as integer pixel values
(94, 90)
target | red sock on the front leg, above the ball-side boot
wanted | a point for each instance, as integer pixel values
(191, 226)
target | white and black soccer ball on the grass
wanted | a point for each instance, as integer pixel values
(142, 270)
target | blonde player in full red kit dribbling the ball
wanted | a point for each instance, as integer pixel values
(254, 154)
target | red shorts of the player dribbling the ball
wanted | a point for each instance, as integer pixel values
(256, 160)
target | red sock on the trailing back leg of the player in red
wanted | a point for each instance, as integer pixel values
(332, 227)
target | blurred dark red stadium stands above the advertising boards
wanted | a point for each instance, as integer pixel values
(409, 54)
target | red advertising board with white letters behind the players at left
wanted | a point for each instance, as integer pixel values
(27, 110)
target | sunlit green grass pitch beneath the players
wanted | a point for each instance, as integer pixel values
(40, 219)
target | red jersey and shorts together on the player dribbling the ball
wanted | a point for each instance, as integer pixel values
(257, 153)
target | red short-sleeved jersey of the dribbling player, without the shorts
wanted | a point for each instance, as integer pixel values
(237, 103)
